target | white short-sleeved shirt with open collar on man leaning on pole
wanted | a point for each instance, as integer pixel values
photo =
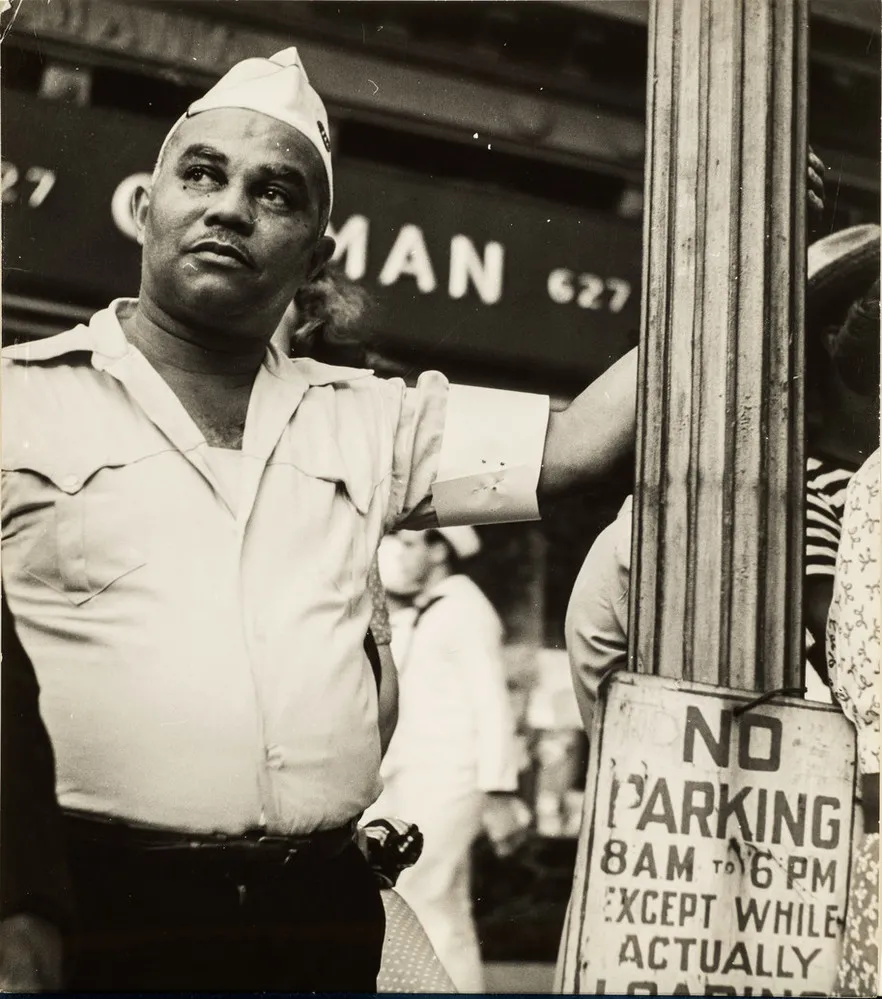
(200, 653)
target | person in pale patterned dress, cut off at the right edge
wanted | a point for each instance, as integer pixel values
(854, 650)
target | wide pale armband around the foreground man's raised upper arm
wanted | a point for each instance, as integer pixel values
(491, 456)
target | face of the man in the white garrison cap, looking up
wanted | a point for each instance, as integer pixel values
(230, 229)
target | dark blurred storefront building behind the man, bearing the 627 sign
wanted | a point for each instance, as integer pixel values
(489, 195)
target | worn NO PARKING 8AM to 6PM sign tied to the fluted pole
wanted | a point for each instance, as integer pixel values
(715, 851)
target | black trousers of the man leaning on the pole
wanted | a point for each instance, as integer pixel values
(157, 921)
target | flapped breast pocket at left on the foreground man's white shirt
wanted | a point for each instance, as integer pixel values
(83, 525)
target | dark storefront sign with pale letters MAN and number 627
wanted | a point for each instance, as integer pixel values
(458, 271)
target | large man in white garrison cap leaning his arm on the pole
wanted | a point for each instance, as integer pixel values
(188, 522)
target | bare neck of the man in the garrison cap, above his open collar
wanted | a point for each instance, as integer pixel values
(170, 344)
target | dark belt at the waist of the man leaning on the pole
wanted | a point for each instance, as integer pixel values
(254, 845)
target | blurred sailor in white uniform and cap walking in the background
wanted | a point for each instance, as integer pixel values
(453, 760)
